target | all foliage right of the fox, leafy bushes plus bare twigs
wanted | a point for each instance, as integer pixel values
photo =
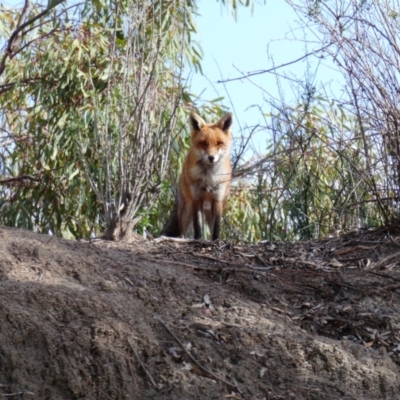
(330, 166)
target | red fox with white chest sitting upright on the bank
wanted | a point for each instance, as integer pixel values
(205, 180)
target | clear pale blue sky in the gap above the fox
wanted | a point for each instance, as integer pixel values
(271, 35)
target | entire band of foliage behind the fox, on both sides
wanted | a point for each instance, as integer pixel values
(93, 123)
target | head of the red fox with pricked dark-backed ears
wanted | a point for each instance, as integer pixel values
(211, 142)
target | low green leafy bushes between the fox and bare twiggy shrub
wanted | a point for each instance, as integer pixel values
(310, 184)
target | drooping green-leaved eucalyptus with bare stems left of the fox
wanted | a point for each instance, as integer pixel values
(92, 94)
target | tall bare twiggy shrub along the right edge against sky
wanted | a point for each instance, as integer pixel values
(361, 39)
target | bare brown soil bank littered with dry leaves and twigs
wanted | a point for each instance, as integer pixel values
(173, 319)
